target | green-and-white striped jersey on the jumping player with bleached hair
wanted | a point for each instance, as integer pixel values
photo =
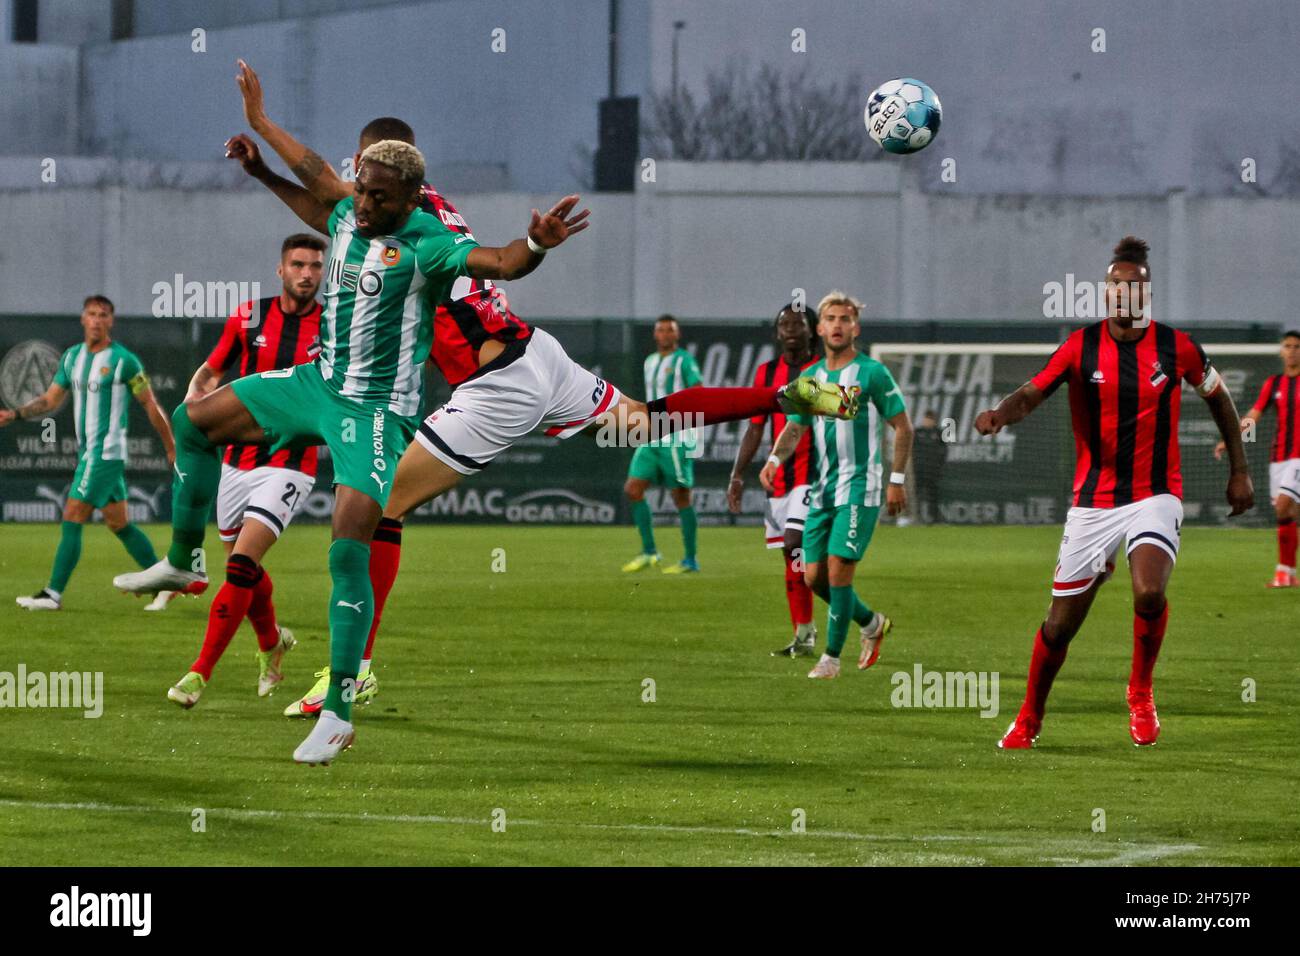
(380, 299)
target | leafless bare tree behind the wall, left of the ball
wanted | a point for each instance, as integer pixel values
(764, 115)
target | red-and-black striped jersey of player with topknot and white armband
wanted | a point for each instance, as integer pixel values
(1125, 399)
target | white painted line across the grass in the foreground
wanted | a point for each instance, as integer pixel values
(1130, 855)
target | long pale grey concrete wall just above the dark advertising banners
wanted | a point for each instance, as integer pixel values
(703, 240)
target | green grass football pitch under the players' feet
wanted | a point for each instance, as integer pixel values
(518, 697)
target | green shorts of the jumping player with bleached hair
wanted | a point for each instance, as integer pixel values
(296, 409)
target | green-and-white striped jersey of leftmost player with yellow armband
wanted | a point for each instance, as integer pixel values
(102, 384)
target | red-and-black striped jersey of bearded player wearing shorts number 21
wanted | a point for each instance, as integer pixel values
(262, 336)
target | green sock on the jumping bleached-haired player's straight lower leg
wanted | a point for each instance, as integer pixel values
(352, 609)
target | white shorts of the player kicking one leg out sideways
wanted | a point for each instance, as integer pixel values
(540, 387)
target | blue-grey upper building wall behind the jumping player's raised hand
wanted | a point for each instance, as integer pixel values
(527, 110)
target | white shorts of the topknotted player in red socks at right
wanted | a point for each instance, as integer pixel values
(1093, 538)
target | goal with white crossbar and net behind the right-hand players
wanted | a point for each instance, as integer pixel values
(1025, 474)
